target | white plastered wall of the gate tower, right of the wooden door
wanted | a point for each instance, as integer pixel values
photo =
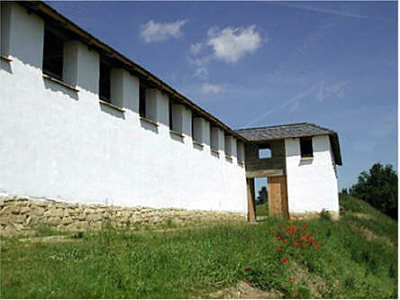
(312, 184)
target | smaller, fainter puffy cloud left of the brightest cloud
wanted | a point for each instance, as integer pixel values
(156, 32)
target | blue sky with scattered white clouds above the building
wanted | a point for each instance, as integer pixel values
(255, 64)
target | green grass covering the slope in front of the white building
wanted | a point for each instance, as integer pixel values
(194, 262)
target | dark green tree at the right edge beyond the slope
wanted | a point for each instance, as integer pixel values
(378, 187)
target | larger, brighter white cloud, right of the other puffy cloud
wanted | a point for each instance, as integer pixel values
(231, 44)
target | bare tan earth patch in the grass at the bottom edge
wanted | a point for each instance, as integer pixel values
(243, 290)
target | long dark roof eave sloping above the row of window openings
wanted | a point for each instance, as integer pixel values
(57, 20)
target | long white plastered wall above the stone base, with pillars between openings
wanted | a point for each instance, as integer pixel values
(65, 145)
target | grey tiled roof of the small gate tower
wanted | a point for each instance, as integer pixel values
(269, 133)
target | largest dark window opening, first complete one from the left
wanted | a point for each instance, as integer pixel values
(53, 49)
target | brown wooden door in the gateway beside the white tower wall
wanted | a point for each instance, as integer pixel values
(277, 196)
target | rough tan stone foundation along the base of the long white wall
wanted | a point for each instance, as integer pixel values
(19, 215)
